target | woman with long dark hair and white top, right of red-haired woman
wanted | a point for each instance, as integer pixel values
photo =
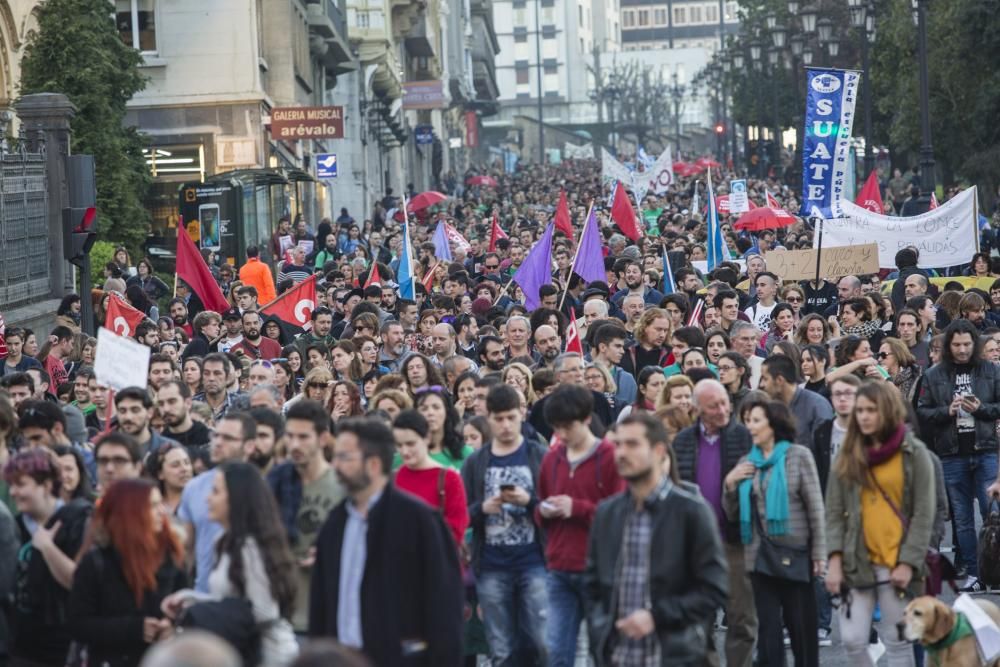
(253, 560)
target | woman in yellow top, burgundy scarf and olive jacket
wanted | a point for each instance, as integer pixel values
(880, 508)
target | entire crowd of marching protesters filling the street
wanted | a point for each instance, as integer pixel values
(730, 460)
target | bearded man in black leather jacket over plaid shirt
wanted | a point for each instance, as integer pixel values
(656, 572)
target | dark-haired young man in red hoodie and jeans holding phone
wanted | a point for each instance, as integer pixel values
(577, 473)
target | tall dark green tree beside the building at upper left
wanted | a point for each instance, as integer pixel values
(77, 51)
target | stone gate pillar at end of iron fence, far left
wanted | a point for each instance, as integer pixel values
(46, 117)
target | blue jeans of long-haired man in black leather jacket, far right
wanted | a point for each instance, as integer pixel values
(966, 479)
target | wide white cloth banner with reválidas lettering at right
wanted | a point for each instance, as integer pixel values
(945, 236)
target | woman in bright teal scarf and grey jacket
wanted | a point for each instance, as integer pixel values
(776, 488)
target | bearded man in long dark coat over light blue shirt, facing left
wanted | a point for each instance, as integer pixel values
(420, 615)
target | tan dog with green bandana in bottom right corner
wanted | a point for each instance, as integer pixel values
(928, 620)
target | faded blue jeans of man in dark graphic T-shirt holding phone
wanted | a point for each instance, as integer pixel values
(514, 604)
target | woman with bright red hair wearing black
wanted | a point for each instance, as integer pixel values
(131, 562)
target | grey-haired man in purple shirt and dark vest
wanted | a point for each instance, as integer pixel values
(706, 452)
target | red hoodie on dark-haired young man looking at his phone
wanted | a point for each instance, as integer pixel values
(589, 481)
